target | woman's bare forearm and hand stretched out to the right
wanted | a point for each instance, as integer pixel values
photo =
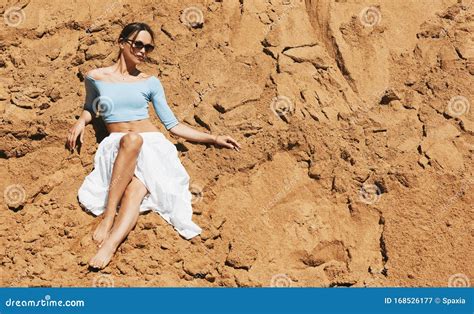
(193, 135)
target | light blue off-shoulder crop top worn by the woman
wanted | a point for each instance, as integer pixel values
(127, 101)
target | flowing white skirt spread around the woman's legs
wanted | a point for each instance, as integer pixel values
(158, 168)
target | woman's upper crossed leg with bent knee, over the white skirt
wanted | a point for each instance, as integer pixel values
(122, 173)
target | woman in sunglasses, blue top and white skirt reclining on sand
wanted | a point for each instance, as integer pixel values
(135, 168)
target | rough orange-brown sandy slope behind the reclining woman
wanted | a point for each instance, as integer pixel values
(364, 179)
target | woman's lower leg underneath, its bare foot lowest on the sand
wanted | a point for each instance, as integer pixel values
(126, 220)
